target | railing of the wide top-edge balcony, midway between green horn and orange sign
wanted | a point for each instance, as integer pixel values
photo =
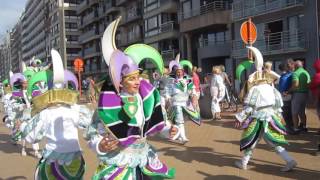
(204, 9)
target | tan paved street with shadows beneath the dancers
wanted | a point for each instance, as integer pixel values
(210, 154)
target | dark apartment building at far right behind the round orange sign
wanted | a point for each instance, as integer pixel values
(286, 29)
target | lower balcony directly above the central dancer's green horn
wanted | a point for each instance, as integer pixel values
(166, 30)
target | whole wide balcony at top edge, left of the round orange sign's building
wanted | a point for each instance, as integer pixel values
(217, 12)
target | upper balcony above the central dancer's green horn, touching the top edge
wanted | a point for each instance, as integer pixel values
(169, 6)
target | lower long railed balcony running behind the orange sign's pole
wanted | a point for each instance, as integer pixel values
(275, 43)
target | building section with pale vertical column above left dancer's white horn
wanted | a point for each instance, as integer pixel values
(62, 29)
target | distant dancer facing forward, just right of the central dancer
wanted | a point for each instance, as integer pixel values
(181, 97)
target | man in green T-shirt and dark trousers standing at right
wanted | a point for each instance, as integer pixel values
(299, 90)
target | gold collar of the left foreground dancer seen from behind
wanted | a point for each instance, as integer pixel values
(53, 97)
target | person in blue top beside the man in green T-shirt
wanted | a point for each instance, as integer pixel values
(284, 85)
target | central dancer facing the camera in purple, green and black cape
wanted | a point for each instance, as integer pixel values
(129, 111)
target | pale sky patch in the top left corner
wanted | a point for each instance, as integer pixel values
(10, 11)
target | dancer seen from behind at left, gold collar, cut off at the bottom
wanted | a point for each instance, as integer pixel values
(57, 117)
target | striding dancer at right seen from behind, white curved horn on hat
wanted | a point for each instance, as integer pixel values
(261, 116)
